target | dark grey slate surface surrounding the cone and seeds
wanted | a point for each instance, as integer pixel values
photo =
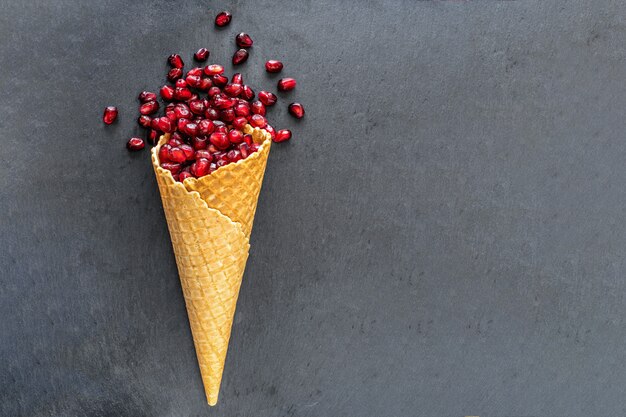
(443, 236)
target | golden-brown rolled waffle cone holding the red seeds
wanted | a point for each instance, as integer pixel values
(210, 220)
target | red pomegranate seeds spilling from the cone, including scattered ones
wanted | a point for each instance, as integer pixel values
(206, 113)
